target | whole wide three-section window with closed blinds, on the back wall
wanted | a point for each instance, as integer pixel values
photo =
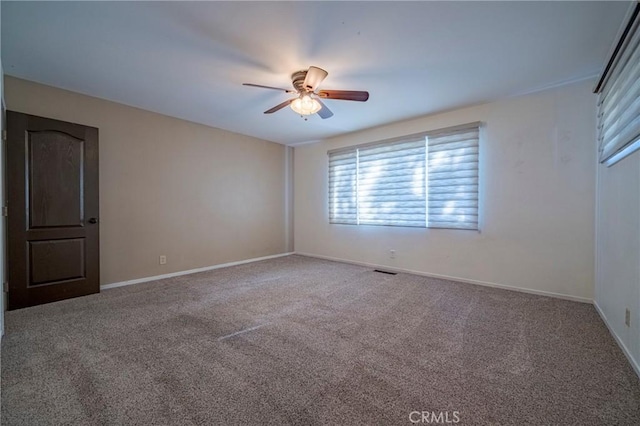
(426, 180)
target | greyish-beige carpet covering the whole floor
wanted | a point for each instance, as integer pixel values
(303, 341)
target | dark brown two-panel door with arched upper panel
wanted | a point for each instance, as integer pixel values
(52, 188)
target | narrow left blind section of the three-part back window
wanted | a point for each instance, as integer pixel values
(343, 206)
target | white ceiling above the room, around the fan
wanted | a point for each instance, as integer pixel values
(189, 59)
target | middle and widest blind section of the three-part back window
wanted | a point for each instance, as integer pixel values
(391, 184)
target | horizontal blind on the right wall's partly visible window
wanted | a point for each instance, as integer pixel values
(619, 100)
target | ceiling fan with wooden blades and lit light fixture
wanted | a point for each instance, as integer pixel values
(309, 99)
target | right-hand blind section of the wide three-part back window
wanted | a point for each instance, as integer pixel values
(453, 180)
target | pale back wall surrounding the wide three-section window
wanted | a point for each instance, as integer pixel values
(537, 166)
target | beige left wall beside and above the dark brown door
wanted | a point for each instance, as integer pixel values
(199, 195)
